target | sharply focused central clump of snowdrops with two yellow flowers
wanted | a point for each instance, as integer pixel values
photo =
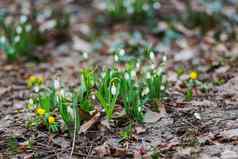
(57, 107)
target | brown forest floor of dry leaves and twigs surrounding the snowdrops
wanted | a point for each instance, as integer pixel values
(205, 127)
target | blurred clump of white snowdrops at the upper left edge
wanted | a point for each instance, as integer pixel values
(18, 40)
